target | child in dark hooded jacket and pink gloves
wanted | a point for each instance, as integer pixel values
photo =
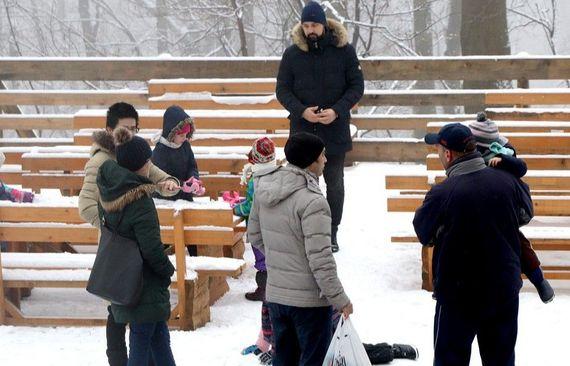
(173, 153)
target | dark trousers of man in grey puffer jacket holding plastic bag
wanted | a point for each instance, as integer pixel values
(301, 335)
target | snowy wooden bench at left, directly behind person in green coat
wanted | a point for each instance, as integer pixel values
(211, 227)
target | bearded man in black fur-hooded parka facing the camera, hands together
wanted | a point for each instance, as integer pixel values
(319, 82)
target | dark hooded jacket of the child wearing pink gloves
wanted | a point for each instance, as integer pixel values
(178, 161)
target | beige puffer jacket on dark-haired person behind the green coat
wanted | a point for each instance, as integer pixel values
(103, 149)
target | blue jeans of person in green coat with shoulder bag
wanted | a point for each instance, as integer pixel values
(150, 340)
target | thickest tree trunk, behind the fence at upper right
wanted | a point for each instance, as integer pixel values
(484, 31)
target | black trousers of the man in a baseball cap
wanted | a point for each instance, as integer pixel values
(496, 331)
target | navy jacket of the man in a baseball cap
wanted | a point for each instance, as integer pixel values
(473, 220)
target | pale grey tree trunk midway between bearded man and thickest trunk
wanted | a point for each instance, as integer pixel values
(423, 45)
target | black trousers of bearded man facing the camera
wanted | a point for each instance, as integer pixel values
(334, 178)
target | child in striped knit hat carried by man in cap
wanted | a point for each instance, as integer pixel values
(498, 153)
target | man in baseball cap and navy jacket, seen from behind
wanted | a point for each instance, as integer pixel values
(472, 219)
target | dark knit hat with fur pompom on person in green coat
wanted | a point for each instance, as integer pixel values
(132, 151)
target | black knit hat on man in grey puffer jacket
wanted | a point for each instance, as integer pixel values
(303, 149)
